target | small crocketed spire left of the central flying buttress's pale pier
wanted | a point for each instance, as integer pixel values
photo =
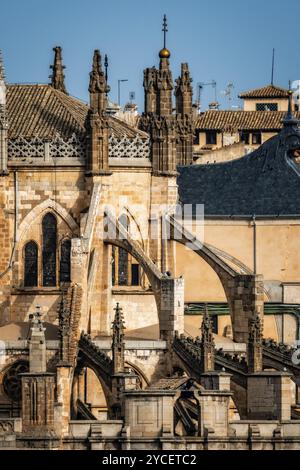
(118, 342)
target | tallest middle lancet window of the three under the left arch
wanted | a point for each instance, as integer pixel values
(49, 226)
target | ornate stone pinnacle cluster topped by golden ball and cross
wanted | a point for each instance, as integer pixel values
(171, 133)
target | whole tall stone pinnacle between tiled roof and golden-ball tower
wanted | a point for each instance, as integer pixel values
(97, 120)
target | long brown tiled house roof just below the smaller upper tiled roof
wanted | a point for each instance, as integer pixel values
(235, 121)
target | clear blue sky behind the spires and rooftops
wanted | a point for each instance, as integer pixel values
(228, 41)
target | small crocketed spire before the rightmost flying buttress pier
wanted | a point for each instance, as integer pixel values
(255, 345)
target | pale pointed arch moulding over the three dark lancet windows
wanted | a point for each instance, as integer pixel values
(48, 204)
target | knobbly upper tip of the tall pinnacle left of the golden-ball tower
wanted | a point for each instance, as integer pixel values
(98, 87)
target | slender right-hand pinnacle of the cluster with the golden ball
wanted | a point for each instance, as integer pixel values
(184, 98)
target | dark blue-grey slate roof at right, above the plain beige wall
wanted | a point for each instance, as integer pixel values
(263, 183)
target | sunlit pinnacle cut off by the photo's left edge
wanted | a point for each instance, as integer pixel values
(3, 122)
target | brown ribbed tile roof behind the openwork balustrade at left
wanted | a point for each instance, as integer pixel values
(41, 111)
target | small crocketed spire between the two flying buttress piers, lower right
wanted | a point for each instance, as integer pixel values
(207, 345)
